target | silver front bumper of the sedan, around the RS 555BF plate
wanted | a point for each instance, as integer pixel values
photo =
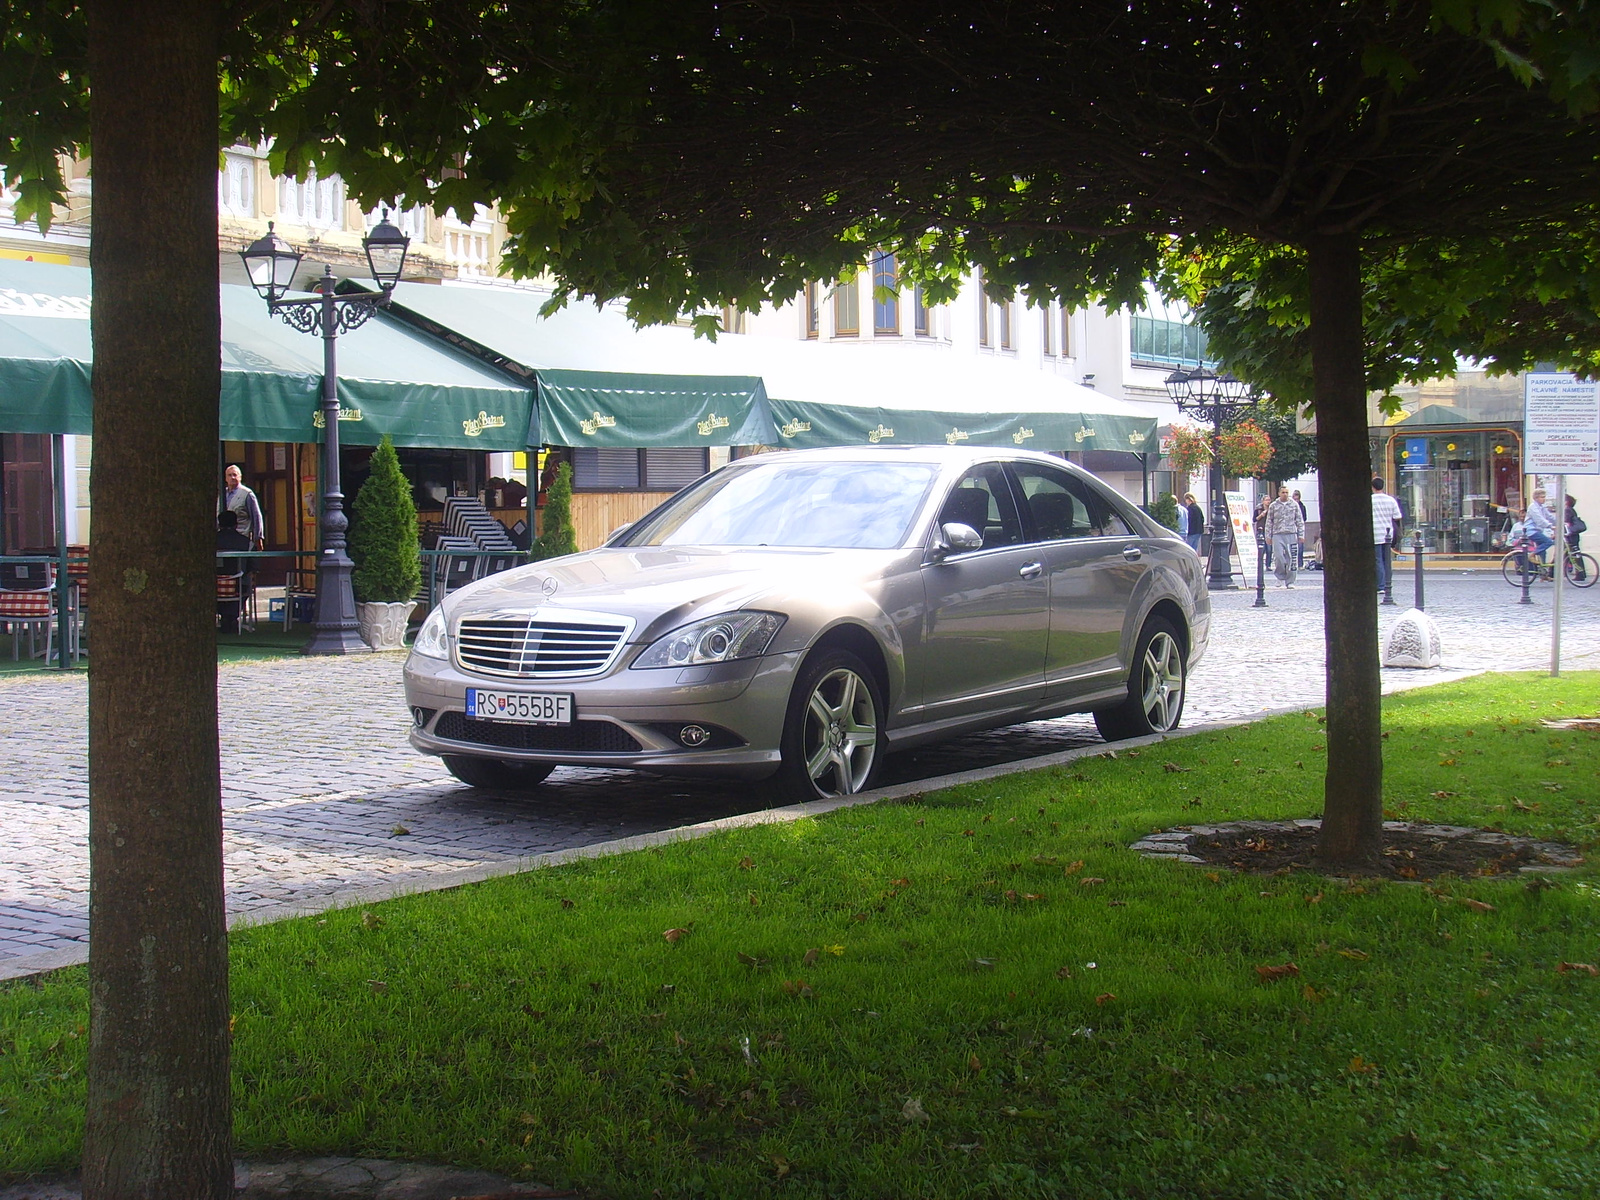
(625, 719)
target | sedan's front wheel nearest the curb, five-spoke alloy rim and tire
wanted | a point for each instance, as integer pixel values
(834, 732)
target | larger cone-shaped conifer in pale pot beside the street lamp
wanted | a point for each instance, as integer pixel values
(385, 551)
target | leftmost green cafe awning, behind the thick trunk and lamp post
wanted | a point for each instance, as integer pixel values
(391, 378)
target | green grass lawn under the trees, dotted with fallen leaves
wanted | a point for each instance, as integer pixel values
(978, 993)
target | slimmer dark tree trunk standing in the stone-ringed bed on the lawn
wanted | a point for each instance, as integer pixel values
(1353, 804)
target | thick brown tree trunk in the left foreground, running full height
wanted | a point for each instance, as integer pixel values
(159, 1118)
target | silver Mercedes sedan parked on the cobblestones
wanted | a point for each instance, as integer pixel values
(801, 615)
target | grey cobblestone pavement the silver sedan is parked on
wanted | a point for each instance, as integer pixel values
(322, 794)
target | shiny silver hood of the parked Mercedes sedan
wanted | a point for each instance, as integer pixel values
(666, 586)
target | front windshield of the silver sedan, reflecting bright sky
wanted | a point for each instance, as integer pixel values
(865, 506)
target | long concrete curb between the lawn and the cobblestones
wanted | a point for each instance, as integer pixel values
(55, 961)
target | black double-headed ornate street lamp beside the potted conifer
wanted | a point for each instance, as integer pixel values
(271, 265)
